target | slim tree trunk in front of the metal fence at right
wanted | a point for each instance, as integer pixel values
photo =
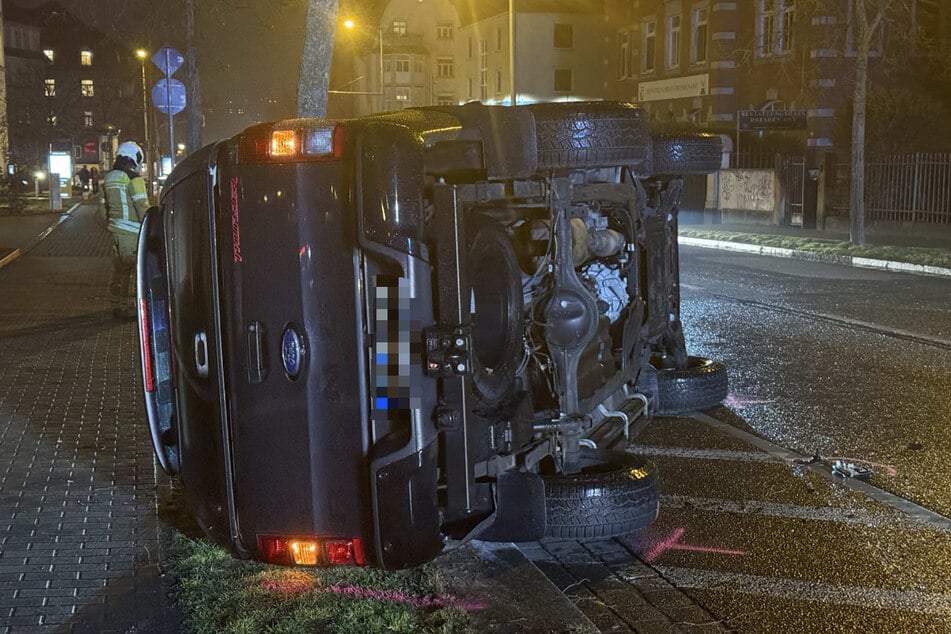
(857, 192)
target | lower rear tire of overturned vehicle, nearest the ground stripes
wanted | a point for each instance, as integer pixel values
(615, 494)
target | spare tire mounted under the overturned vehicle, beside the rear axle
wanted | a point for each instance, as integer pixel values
(495, 282)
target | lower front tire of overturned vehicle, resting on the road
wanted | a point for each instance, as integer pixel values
(700, 385)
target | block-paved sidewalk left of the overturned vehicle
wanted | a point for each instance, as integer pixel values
(78, 527)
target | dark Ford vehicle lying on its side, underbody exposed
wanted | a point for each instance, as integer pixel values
(365, 341)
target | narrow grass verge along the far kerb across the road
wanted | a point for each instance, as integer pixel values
(912, 255)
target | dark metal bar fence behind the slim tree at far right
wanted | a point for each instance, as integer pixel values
(900, 188)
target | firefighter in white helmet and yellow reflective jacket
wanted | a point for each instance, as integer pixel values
(124, 203)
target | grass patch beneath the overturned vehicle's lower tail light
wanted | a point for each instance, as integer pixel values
(220, 594)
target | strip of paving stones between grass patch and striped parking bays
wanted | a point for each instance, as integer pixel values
(616, 591)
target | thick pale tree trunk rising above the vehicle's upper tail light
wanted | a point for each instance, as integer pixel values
(315, 61)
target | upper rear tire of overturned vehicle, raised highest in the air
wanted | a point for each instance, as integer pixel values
(589, 135)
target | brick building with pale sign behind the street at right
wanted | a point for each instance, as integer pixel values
(771, 67)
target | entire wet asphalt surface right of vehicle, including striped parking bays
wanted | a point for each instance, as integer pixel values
(823, 358)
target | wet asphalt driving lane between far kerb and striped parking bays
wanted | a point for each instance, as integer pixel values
(844, 361)
